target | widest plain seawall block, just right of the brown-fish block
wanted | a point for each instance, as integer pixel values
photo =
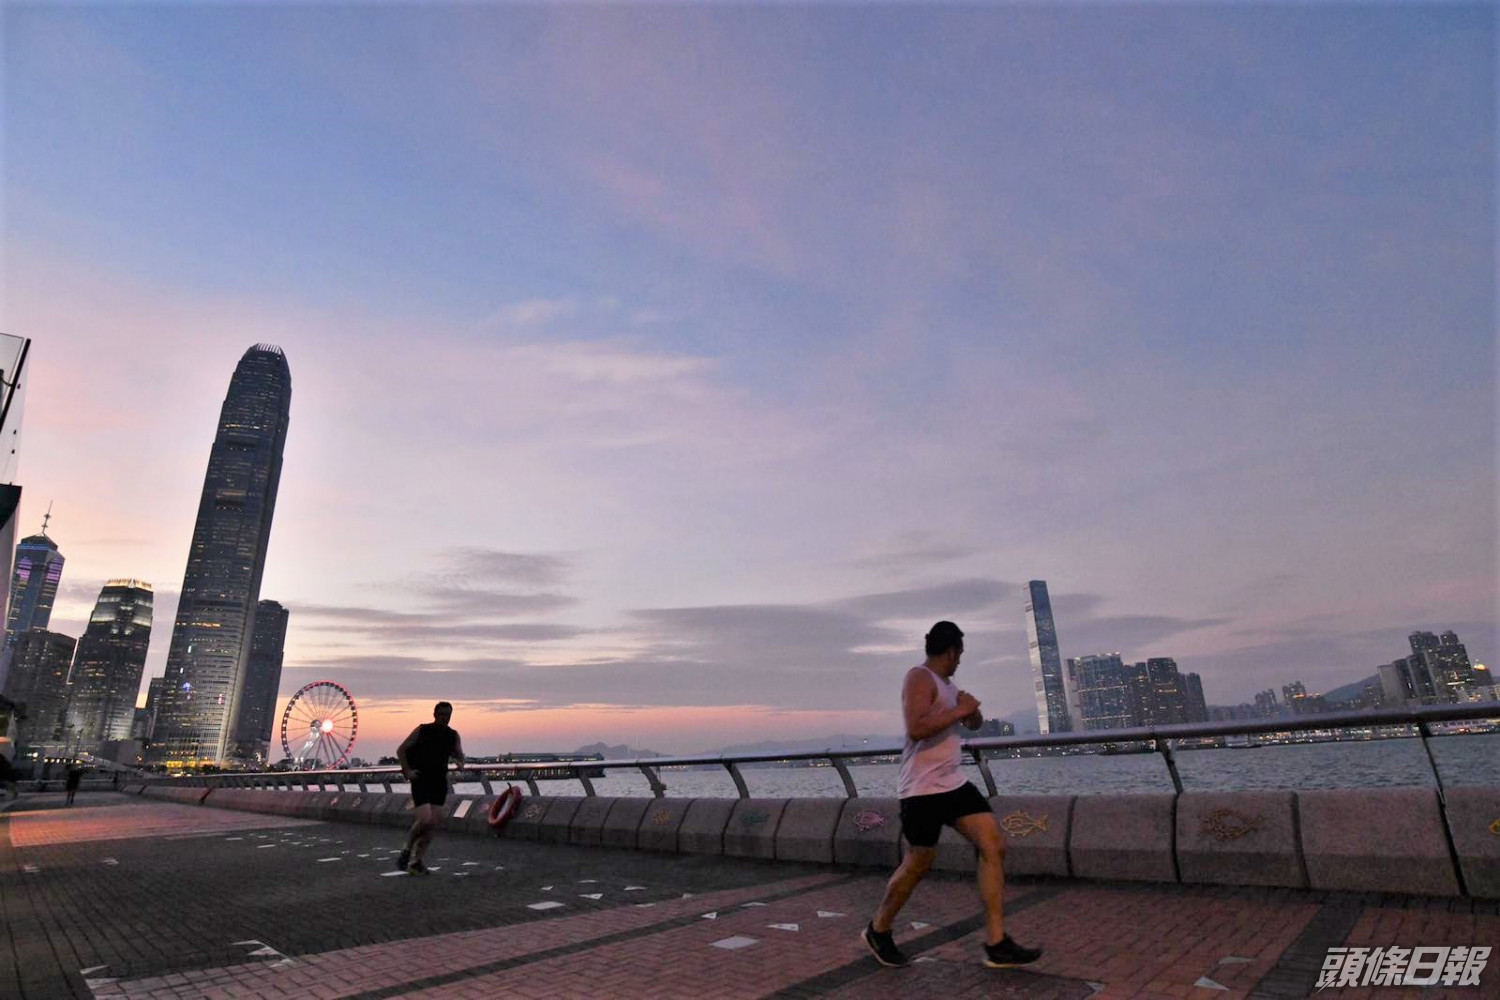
(1376, 840)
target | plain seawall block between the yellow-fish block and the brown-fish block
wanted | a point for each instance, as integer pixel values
(1123, 837)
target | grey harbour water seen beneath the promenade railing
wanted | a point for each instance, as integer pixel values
(1463, 761)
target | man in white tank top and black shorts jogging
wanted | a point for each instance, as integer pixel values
(935, 794)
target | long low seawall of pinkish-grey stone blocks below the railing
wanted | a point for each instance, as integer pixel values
(1367, 840)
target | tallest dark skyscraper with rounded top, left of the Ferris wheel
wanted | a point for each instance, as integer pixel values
(223, 584)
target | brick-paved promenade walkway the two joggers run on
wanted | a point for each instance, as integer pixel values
(119, 897)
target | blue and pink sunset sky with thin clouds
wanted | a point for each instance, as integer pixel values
(661, 374)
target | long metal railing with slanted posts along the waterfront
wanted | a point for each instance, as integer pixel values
(982, 750)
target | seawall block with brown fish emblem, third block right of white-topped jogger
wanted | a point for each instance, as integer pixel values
(1240, 839)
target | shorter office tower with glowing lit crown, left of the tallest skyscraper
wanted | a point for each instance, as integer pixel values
(109, 665)
